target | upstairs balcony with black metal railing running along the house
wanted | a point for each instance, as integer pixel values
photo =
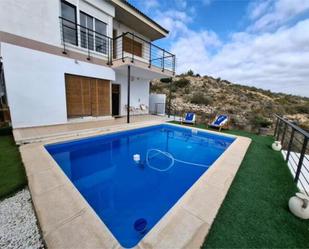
(123, 49)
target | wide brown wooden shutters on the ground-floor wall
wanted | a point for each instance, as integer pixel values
(87, 96)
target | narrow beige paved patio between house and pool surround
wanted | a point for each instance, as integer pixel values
(43, 133)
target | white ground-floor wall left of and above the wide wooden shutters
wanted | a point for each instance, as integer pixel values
(35, 84)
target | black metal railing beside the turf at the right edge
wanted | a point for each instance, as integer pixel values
(295, 148)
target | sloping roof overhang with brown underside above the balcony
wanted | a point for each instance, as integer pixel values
(135, 19)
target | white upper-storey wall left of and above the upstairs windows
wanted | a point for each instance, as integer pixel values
(39, 19)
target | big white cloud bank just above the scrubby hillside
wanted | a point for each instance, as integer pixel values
(277, 61)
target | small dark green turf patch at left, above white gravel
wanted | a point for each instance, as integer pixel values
(12, 173)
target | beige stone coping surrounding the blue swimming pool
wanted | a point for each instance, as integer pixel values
(68, 221)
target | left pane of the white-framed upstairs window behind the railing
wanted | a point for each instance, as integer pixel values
(86, 31)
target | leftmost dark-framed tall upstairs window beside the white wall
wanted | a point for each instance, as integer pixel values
(69, 27)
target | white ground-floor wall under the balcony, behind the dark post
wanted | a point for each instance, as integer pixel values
(139, 92)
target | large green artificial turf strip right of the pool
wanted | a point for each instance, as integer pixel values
(255, 211)
